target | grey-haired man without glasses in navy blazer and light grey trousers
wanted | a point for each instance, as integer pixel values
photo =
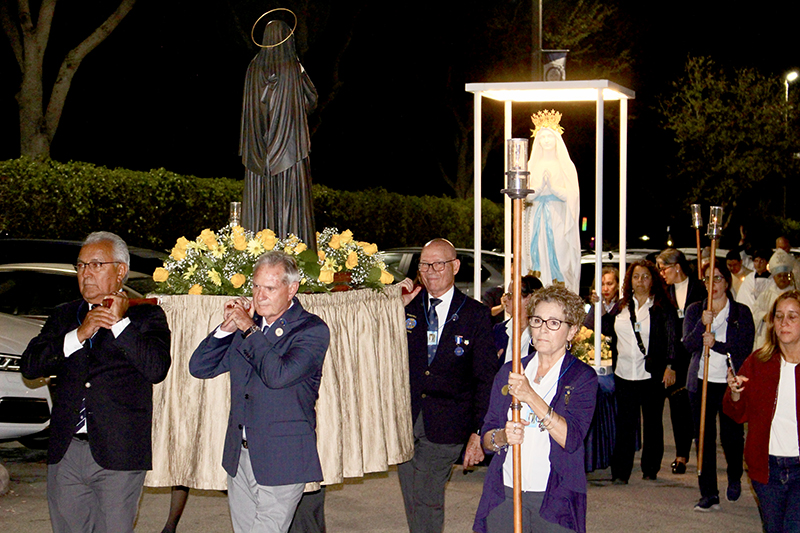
(274, 351)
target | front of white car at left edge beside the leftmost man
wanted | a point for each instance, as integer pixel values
(25, 405)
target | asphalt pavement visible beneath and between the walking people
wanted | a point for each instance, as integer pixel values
(374, 504)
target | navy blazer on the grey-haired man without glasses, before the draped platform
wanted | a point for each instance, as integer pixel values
(275, 380)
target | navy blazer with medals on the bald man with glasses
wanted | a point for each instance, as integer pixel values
(452, 393)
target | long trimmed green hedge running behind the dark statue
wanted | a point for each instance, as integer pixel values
(48, 199)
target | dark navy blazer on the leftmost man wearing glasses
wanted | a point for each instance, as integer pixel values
(114, 375)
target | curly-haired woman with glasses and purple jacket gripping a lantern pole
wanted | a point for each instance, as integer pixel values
(558, 395)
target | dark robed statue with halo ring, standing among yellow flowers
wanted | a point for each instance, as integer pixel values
(274, 142)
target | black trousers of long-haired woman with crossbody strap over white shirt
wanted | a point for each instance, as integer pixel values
(635, 398)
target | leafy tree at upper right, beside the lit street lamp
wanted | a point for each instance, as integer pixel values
(731, 133)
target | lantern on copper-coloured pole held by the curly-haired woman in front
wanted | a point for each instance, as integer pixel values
(516, 189)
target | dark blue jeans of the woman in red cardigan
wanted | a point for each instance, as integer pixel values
(779, 499)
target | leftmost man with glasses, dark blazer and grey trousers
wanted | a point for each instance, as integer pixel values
(106, 357)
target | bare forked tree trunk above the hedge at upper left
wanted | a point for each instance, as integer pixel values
(28, 32)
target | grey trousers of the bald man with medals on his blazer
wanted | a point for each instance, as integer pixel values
(423, 479)
